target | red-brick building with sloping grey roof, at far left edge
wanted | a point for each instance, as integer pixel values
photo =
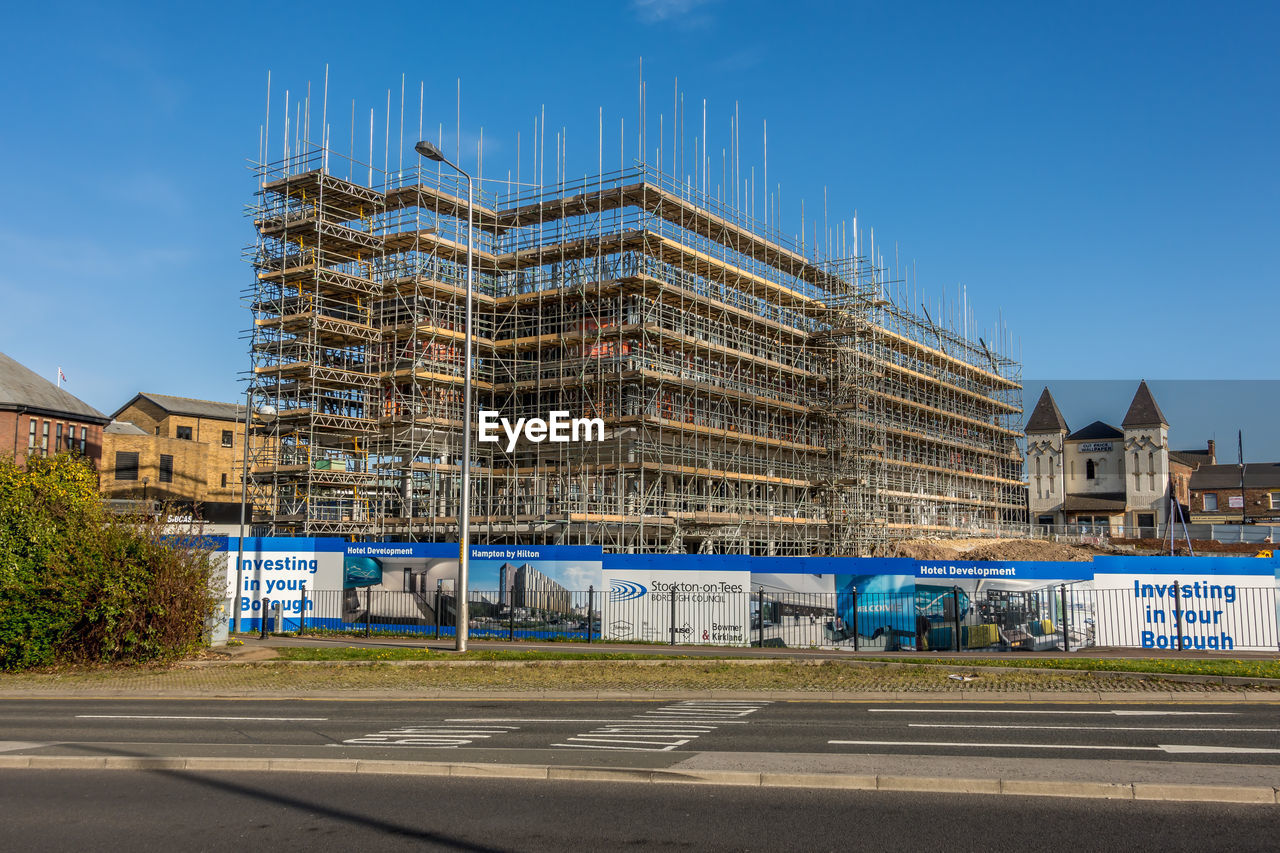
(38, 417)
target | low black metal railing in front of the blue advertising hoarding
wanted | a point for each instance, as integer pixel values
(1195, 617)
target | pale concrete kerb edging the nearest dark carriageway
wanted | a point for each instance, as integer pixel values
(1245, 795)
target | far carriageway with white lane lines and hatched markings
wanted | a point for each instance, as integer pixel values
(648, 733)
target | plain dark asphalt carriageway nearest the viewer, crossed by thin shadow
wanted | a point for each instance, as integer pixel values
(124, 810)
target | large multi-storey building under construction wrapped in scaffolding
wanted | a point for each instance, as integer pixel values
(756, 400)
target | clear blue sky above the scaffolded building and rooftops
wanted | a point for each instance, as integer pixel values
(1103, 177)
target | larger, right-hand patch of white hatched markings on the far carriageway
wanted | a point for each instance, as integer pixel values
(664, 729)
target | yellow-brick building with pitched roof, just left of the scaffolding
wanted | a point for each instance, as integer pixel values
(181, 451)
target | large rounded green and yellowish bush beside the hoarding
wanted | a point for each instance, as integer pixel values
(83, 586)
